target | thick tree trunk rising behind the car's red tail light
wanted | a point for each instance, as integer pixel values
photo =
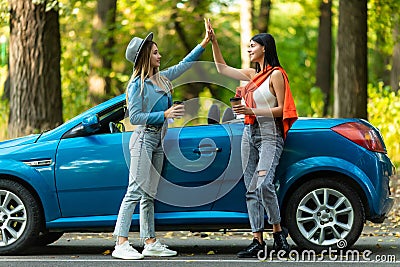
(350, 83)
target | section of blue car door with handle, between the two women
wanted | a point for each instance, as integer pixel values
(195, 161)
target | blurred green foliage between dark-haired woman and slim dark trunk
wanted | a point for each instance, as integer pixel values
(295, 28)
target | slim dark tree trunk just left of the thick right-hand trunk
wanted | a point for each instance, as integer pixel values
(324, 54)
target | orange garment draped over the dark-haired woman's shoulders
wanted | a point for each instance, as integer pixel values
(289, 107)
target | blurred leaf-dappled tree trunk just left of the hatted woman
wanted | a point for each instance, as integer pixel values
(103, 43)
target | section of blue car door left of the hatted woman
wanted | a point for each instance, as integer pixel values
(91, 171)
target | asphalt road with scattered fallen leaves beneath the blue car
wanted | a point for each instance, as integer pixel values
(206, 249)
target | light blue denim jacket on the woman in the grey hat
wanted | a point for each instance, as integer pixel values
(148, 108)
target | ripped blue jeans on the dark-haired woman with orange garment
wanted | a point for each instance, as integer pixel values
(262, 146)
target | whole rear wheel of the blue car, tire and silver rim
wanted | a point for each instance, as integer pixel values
(315, 224)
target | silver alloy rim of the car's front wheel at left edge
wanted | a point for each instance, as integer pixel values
(13, 218)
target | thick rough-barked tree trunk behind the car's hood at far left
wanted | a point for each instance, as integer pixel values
(35, 80)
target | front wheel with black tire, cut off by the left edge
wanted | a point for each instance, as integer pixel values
(22, 228)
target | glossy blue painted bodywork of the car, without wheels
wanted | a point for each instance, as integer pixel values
(86, 177)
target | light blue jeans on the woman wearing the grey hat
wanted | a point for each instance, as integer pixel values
(144, 174)
